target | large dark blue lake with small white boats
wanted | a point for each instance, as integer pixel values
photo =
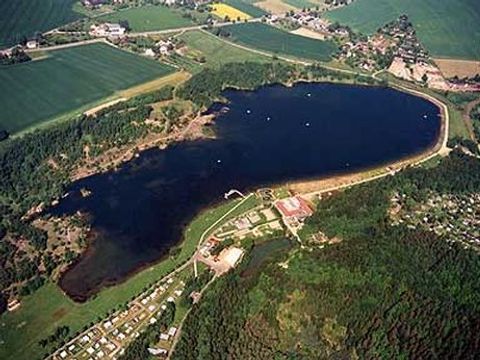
(272, 135)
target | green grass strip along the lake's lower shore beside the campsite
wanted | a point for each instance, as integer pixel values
(48, 308)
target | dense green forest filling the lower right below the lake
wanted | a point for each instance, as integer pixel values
(378, 291)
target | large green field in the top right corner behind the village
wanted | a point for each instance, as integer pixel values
(447, 28)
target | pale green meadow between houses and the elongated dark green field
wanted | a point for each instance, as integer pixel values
(216, 51)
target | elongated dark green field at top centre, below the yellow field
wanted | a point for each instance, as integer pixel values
(271, 39)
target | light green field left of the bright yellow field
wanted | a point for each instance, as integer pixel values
(149, 18)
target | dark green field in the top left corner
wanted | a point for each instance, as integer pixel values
(22, 18)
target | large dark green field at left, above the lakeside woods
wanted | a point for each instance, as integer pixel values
(68, 80)
